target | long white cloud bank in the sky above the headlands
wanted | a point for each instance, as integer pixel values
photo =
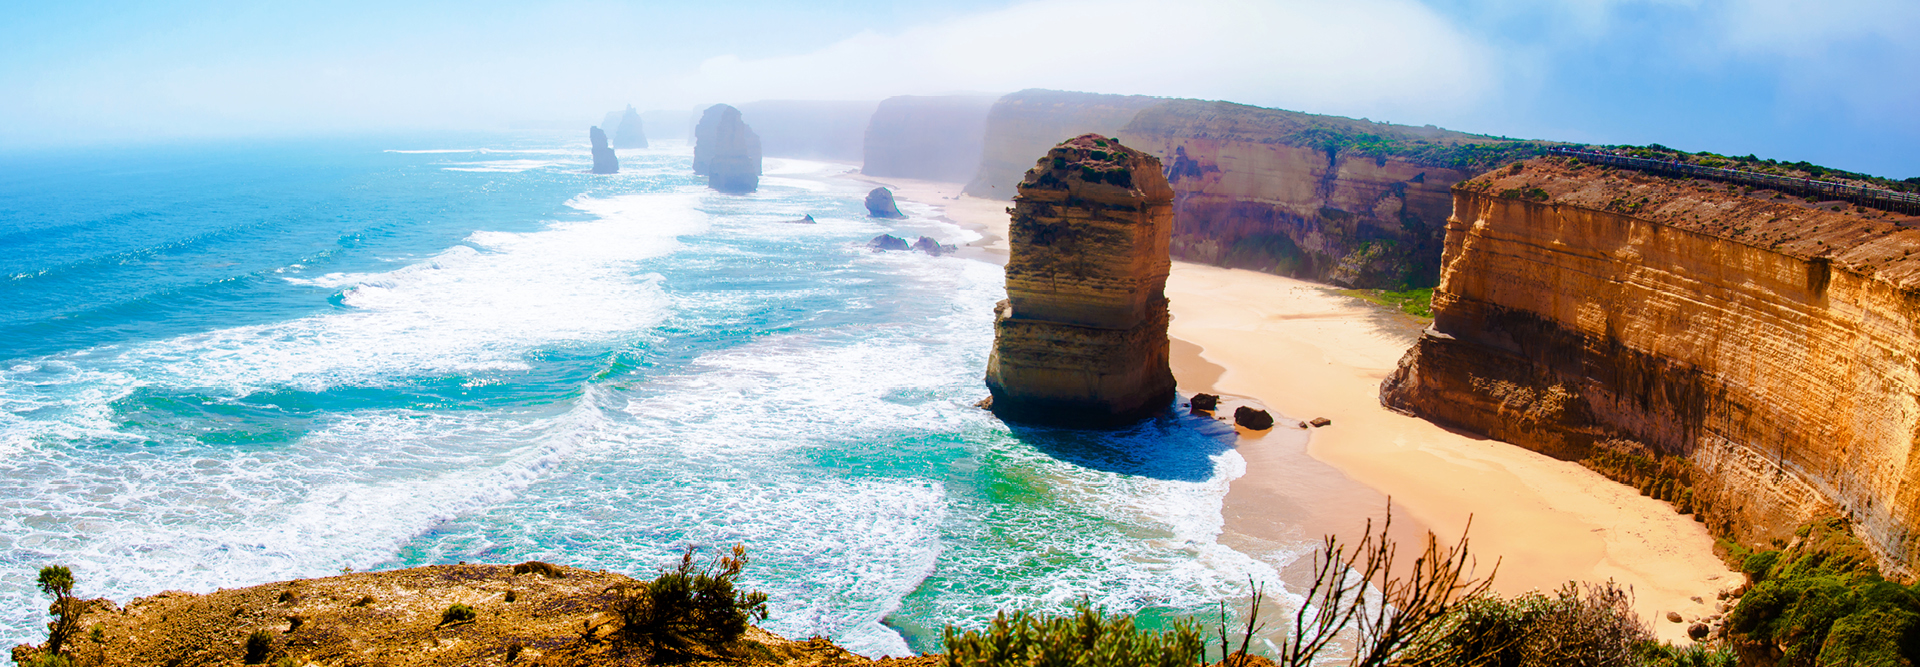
(1362, 57)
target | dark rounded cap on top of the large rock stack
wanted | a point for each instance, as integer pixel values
(1099, 170)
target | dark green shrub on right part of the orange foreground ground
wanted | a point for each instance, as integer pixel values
(688, 610)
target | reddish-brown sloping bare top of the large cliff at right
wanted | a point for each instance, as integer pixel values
(1852, 237)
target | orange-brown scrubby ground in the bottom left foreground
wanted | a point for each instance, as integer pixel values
(529, 614)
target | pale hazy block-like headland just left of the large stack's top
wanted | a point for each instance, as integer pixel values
(928, 137)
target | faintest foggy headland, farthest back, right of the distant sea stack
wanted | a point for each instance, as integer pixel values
(811, 130)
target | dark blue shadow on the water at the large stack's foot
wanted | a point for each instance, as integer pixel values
(1172, 447)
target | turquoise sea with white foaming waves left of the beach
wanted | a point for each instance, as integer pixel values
(233, 364)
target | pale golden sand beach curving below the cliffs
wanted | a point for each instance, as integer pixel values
(1303, 351)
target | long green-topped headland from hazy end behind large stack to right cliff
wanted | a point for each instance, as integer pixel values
(1316, 197)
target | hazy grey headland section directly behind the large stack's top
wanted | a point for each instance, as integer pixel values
(1030, 122)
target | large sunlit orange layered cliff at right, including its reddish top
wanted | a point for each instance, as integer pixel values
(1769, 341)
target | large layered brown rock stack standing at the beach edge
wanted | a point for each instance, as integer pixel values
(1084, 333)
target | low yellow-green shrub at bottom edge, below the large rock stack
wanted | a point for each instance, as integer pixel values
(1088, 637)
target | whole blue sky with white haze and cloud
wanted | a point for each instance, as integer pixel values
(1833, 82)
